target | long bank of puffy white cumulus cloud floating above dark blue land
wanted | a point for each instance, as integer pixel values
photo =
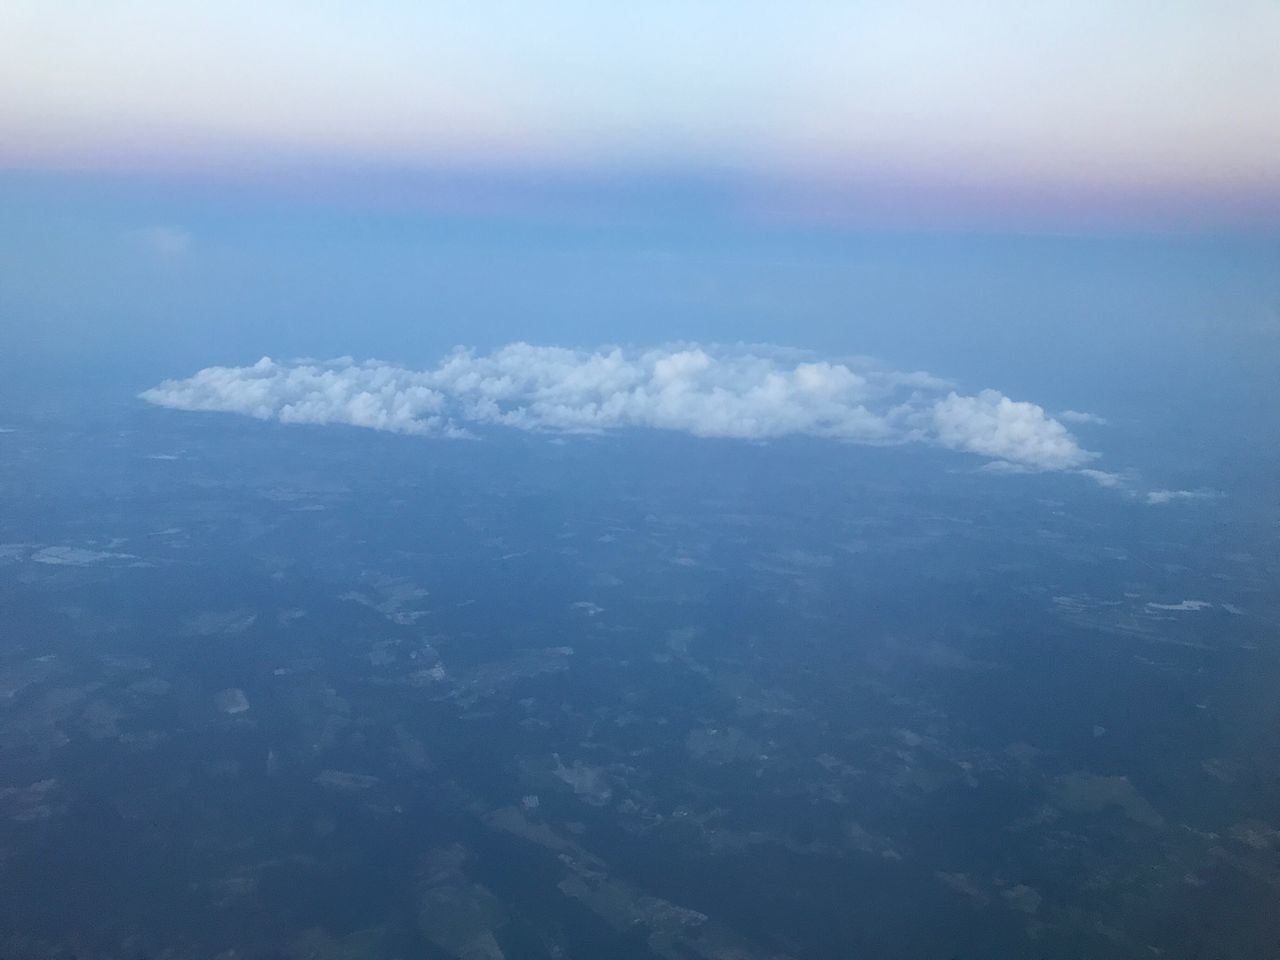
(752, 394)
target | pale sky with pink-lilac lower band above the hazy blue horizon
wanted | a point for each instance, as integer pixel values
(912, 113)
